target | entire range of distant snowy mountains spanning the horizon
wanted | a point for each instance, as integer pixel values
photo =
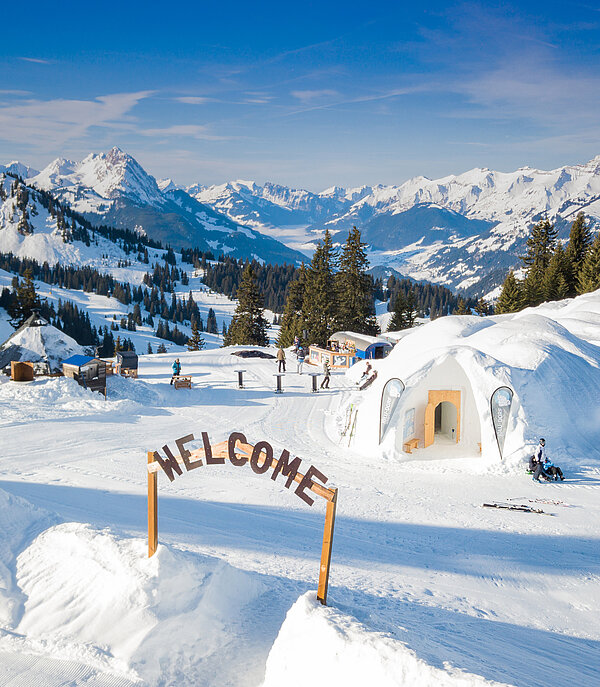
(463, 230)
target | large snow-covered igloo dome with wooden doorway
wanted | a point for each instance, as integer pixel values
(549, 356)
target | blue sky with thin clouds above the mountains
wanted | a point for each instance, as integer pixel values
(305, 94)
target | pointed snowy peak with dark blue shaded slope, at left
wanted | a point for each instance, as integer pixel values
(113, 188)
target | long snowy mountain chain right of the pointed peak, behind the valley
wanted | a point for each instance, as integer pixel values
(463, 230)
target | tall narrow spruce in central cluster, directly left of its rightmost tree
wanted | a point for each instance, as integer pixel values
(318, 302)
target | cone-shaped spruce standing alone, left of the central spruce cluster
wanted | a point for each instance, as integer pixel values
(248, 326)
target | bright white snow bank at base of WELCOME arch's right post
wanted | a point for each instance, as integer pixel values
(323, 646)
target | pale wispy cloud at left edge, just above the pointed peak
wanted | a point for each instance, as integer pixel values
(50, 123)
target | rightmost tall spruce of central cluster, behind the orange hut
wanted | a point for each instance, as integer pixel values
(354, 289)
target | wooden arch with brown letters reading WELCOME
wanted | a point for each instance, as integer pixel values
(260, 458)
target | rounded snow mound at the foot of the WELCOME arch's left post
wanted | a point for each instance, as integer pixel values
(90, 593)
